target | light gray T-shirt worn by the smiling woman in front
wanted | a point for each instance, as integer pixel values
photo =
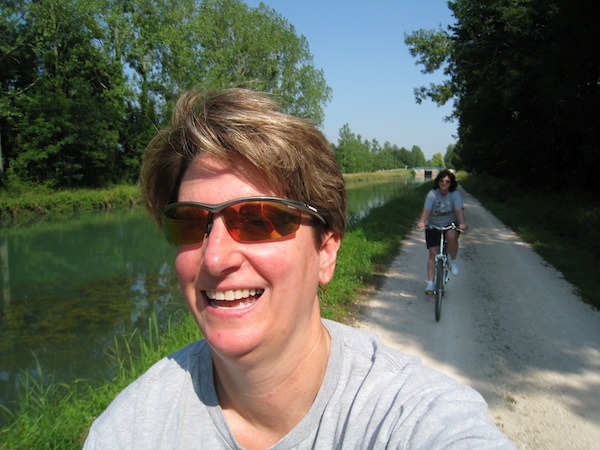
(372, 397)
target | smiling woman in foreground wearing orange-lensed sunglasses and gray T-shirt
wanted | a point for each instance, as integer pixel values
(255, 203)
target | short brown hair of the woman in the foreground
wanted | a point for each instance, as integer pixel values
(292, 154)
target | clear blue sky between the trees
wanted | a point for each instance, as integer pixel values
(359, 45)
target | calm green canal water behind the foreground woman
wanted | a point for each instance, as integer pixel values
(70, 287)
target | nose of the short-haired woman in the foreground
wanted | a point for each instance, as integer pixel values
(220, 252)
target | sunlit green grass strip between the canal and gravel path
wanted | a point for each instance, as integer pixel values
(59, 416)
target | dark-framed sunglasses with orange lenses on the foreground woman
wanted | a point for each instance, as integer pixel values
(249, 219)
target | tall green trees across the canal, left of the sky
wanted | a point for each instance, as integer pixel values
(84, 84)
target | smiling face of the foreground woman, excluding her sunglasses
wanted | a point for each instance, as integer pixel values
(274, 284)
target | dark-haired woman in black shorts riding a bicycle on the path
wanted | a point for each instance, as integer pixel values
(443, 206)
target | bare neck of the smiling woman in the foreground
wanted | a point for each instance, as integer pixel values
(262, 402)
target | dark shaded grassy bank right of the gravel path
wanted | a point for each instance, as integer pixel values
(561, 227)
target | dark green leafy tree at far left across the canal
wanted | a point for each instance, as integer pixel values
(66, 117)
